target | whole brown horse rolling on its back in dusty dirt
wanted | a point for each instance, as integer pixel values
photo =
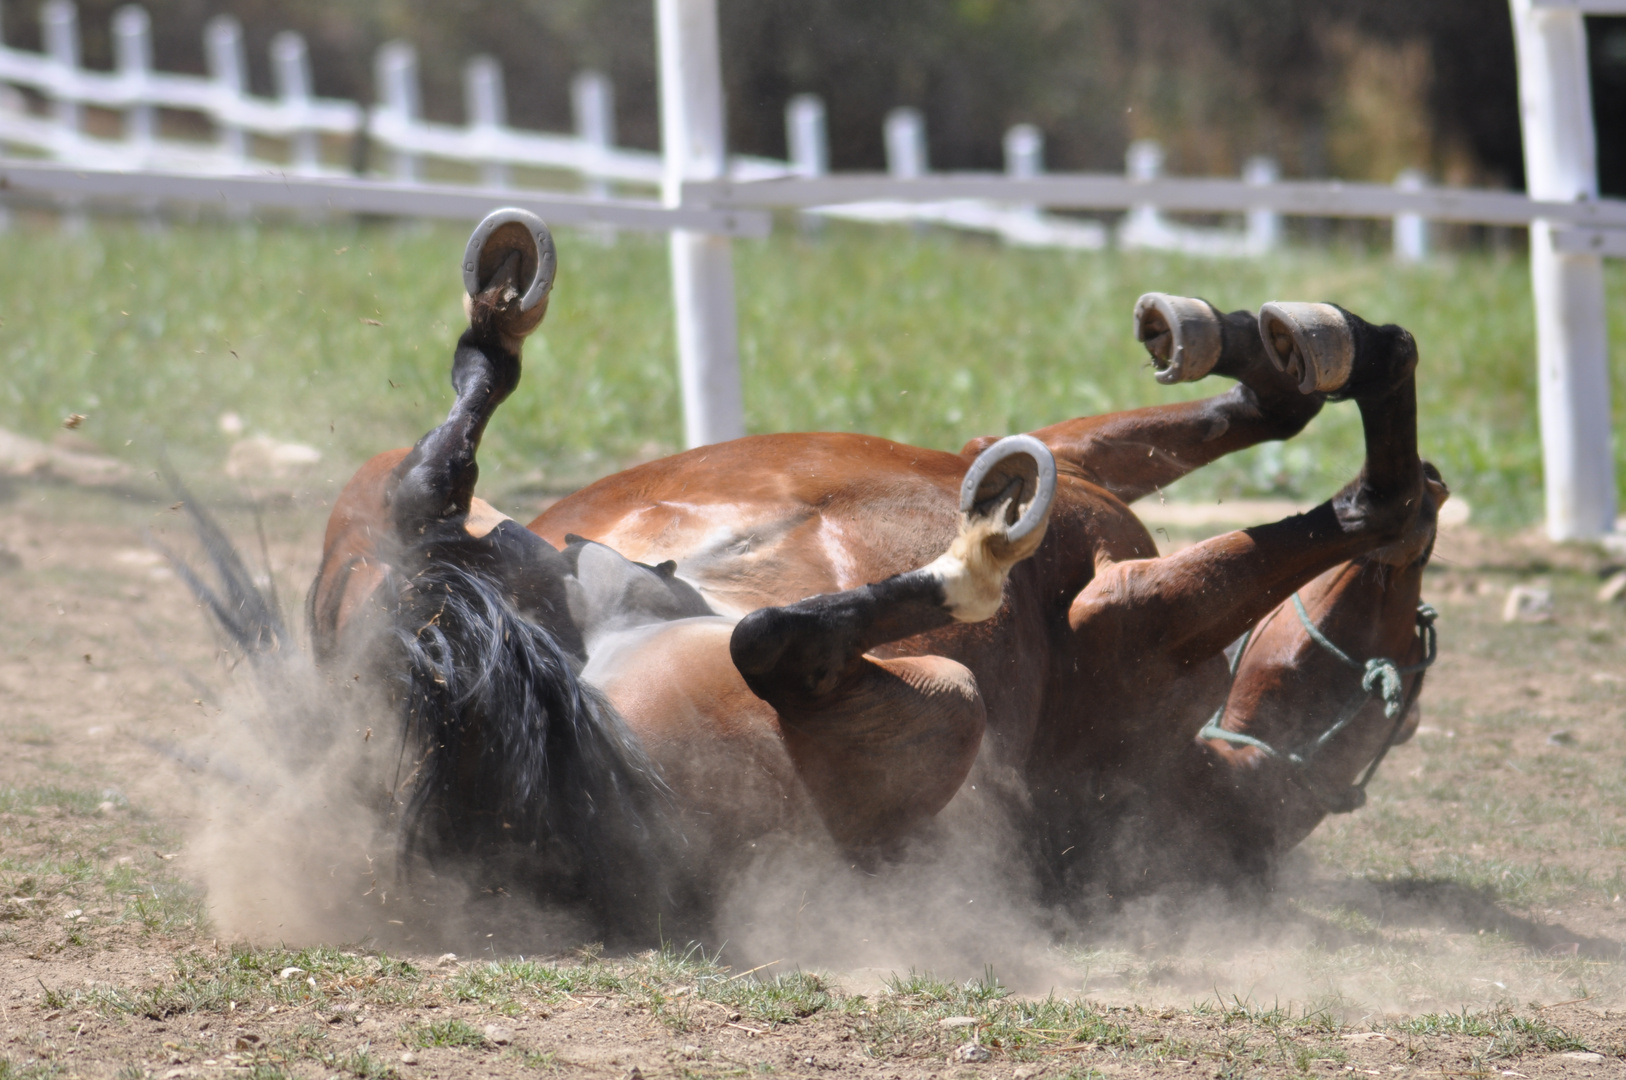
(830, 634)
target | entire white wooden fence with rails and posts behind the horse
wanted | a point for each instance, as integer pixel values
(708, 196)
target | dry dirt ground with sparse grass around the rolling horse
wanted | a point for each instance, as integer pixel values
(1469, 921)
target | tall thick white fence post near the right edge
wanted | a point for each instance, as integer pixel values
(1573, 373)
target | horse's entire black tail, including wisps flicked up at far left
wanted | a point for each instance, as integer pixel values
(513, 772)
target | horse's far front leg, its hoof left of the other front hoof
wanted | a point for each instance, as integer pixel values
(1139, 451)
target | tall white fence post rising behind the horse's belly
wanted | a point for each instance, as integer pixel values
(693, 144)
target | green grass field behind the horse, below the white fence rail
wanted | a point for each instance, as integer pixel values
(926, 339)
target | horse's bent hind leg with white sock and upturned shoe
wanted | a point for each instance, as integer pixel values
(884, 744)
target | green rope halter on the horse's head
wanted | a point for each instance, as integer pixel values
(1380, 679)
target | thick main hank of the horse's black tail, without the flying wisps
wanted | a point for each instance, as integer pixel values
(520, 772)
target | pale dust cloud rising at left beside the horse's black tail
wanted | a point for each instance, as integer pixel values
(297, 840)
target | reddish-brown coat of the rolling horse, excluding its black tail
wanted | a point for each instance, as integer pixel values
(828, 682)
